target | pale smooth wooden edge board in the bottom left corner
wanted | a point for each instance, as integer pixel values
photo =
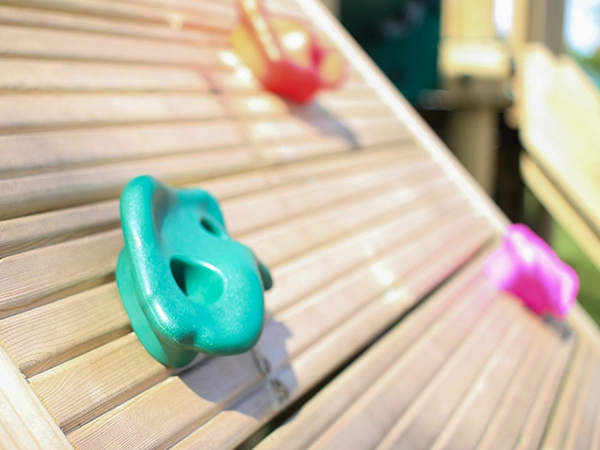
(24, 421)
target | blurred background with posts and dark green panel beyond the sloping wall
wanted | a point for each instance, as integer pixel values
(458, 62)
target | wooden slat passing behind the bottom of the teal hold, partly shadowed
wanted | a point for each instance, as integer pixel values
(80, 403)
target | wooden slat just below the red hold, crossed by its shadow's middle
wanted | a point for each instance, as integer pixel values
(75, 110)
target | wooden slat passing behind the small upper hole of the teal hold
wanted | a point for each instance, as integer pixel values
(72, 266)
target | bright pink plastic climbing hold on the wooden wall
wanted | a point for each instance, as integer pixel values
(527, 267)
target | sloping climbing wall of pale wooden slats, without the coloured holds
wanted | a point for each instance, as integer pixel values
(353, 203)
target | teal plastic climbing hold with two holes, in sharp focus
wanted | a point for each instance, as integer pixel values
(185, 284)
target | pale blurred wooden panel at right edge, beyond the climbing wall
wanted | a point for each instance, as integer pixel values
(560, 128)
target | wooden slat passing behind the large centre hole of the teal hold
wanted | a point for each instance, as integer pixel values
(54, 339)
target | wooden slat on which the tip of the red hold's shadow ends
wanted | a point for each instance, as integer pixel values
(27, 152)
